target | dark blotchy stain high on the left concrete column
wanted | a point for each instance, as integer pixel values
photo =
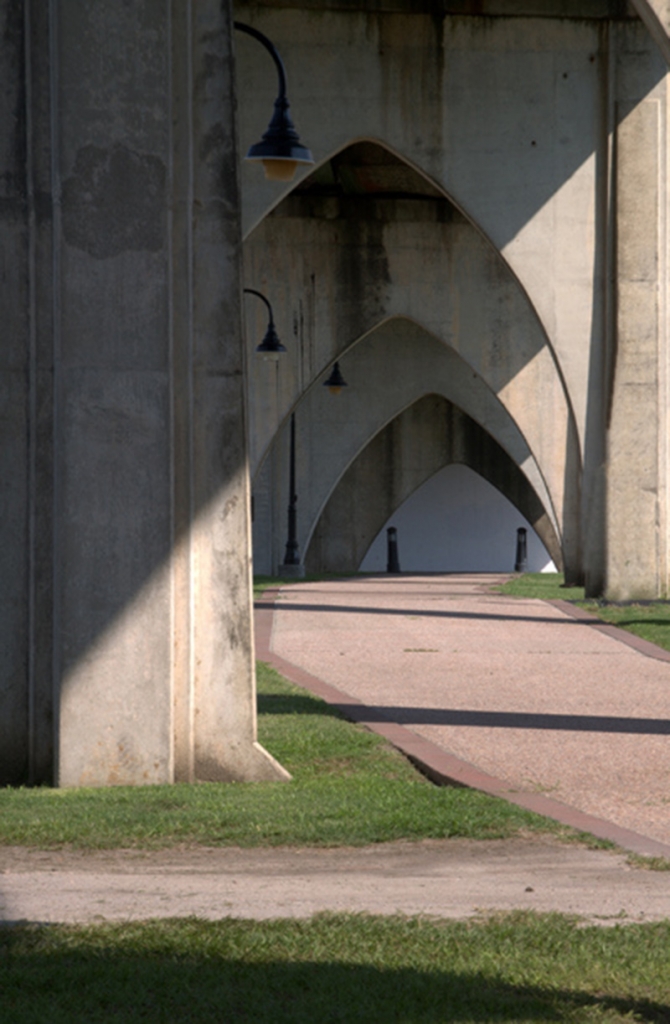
(115, 202)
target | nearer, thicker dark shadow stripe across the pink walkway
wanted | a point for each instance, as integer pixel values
(509, 720)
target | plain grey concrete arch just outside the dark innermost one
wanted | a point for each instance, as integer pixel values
(332, 433)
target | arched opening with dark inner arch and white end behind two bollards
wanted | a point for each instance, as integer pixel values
(446, 517)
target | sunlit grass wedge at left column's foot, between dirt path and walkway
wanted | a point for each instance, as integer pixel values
(349, 788)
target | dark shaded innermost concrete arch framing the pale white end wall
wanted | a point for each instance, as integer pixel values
(430, 436)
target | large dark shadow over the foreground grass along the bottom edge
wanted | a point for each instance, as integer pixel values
(165, 987)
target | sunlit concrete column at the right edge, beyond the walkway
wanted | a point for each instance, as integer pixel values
(637, 482)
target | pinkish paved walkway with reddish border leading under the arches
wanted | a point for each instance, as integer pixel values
(532, 701)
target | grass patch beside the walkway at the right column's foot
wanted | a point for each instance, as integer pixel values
(649, 621)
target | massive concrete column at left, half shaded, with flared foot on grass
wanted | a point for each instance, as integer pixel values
(128, 637)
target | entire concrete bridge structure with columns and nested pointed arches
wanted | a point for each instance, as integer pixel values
(482, 246)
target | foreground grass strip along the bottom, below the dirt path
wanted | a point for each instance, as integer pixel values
(350, 969)
